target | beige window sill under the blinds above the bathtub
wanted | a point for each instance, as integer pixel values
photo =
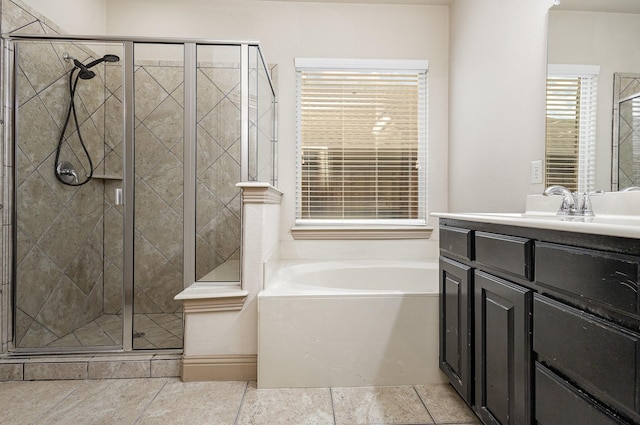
(359, 232)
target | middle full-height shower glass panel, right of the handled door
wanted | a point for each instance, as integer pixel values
(158, 189)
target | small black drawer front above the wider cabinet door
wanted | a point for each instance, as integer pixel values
(508, 253)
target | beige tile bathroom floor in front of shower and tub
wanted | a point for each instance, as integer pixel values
(169, 401)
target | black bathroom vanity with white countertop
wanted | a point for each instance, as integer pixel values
(540, 317)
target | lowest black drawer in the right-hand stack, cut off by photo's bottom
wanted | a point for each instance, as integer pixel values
(557, 402)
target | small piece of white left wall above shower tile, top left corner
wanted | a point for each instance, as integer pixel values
(86, 17)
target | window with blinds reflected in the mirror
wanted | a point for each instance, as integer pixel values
(571, 126)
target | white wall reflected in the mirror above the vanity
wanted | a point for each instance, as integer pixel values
(605, 39)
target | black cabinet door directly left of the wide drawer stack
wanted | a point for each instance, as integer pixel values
(502, 351)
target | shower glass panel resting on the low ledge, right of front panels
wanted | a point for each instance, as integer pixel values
(218, 158)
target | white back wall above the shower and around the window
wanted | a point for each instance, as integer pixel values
(305, 29)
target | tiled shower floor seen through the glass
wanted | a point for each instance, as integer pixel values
(151, 331)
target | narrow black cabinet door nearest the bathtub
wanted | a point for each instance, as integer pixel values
(455, 325)
